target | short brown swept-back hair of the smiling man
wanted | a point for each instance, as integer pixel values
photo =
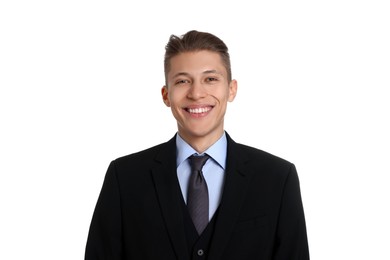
(196, 41)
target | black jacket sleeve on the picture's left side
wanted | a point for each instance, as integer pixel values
(105, 239)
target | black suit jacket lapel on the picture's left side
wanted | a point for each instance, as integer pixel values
(167, 187)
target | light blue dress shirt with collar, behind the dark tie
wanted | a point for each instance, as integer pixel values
(213, 170)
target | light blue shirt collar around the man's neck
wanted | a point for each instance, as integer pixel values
(217, 151)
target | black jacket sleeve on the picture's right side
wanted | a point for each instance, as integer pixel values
(291, 237)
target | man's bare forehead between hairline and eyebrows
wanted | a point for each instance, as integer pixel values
(196, 62)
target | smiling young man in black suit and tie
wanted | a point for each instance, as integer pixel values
(243, 204)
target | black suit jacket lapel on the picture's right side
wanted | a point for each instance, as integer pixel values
(236, 182)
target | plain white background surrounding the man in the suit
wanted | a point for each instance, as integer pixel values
(80, 85)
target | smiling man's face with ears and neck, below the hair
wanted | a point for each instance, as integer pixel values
(197, 92)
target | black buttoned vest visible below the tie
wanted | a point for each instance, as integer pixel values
(198, 246)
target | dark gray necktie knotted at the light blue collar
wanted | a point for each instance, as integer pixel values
(198, 195)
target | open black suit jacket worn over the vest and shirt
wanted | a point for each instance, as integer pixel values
(138, 213)
